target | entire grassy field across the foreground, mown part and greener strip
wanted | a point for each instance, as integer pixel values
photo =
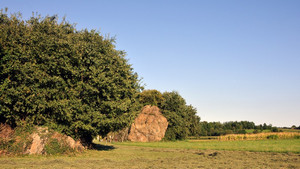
(181, 154)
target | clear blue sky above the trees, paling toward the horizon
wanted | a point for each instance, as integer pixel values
(232, 60)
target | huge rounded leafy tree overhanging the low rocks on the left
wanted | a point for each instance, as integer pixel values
(74, 81)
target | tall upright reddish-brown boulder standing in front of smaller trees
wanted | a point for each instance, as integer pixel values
(150, 125)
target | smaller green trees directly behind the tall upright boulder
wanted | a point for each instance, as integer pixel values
(182, 118)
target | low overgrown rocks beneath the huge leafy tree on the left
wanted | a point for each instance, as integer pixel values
(39, 140)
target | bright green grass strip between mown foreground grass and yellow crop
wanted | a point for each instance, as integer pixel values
(289, 145)
